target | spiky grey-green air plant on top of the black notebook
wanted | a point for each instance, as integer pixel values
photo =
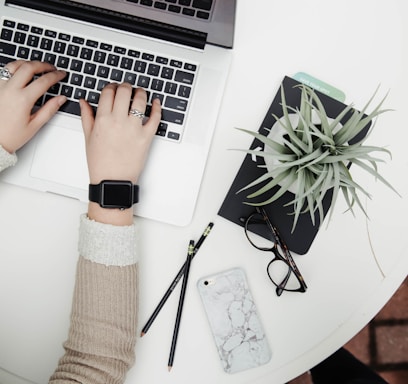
(314, 154)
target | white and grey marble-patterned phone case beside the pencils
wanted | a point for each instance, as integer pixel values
(234, 322)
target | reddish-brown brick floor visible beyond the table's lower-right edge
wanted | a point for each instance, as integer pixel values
(383, 343)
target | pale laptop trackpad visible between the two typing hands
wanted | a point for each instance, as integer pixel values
(60, 157)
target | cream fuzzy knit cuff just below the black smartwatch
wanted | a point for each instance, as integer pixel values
(107, 244)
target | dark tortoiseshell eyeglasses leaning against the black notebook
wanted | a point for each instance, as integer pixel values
(281, 270)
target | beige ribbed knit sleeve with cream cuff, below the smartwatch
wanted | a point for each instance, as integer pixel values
(102, 334)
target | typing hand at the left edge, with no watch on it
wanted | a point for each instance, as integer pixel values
(17, 98)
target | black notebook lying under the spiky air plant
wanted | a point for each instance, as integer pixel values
(234, 207)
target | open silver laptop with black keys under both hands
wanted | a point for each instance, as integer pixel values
(178, 50)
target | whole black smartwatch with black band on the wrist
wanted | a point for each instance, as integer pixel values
(120, 194)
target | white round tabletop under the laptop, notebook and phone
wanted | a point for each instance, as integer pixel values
(352, 269)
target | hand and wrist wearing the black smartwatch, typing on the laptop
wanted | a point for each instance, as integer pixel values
(117, 143)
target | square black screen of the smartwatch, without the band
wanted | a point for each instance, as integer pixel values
(117, 194)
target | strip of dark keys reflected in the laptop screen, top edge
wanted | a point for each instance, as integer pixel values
(200, 9)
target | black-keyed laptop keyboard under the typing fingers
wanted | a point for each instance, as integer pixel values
(91, 64)
